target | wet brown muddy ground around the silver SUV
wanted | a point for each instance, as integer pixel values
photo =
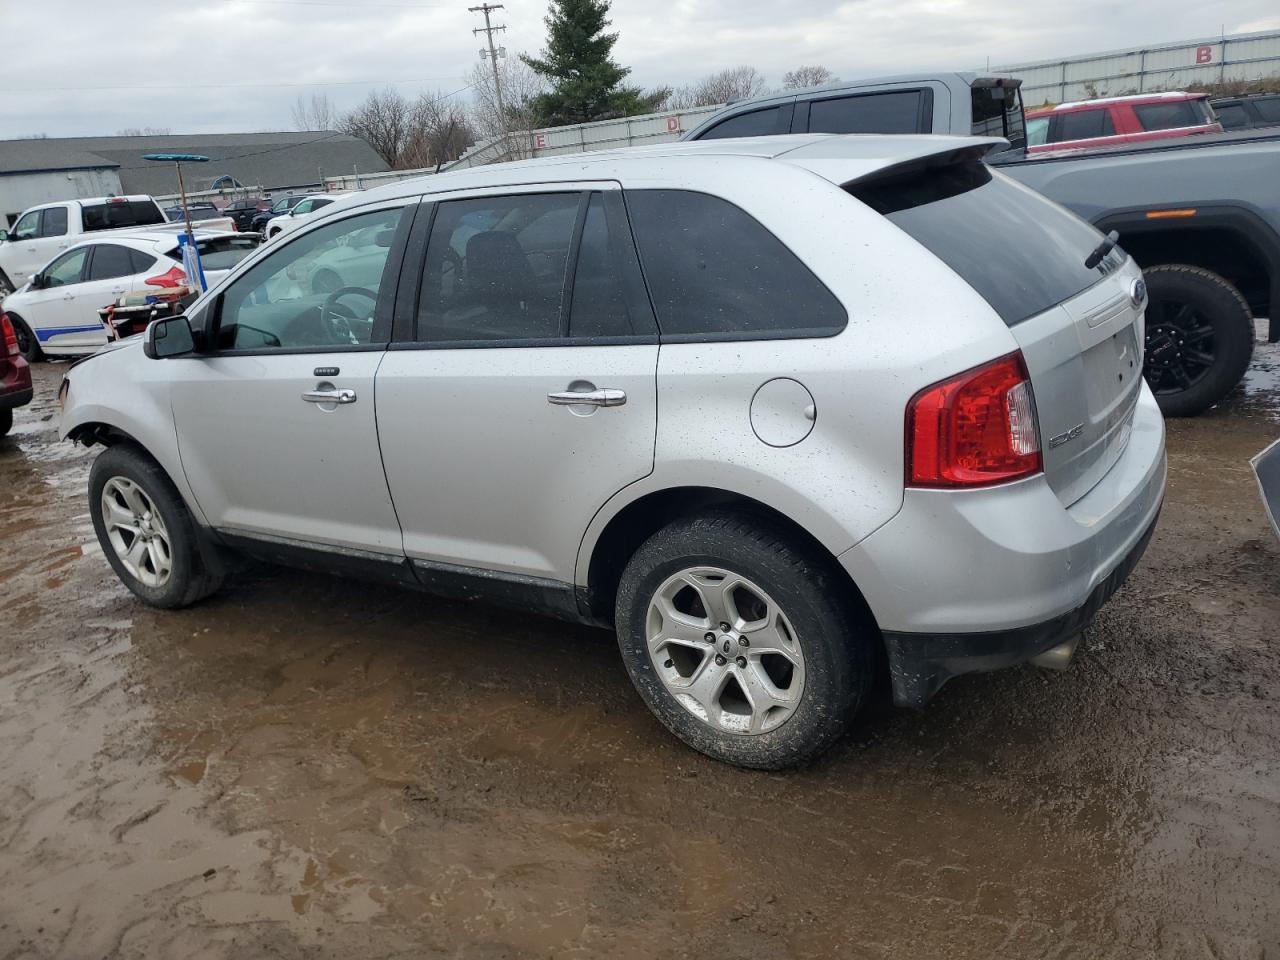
(307, 767)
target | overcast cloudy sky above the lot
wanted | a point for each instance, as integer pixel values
(95, 67)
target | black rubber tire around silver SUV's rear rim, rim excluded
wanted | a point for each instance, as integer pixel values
(835, 636)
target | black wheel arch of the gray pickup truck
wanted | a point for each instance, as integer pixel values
(1233, 243)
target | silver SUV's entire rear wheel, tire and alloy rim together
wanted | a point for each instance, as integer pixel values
(781, 582)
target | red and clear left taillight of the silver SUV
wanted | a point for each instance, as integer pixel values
(976, 429)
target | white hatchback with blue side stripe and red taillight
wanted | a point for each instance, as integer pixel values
(56, 313)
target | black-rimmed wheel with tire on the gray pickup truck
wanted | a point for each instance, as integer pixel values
(1200, 339)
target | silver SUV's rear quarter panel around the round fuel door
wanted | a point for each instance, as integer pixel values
(912, 322)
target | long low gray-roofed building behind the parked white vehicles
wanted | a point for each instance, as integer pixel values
(68, 168)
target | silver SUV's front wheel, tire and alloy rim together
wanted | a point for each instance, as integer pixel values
(120, 472)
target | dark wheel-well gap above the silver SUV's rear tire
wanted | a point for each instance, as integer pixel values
(604, 559)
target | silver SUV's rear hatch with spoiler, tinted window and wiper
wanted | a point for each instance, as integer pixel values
(1078, 328)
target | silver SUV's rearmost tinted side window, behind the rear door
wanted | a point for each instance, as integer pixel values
(714, 271)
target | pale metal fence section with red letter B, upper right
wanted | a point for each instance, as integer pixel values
(1240, 57)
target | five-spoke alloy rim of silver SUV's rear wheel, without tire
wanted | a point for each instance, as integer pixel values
(725, 651)
